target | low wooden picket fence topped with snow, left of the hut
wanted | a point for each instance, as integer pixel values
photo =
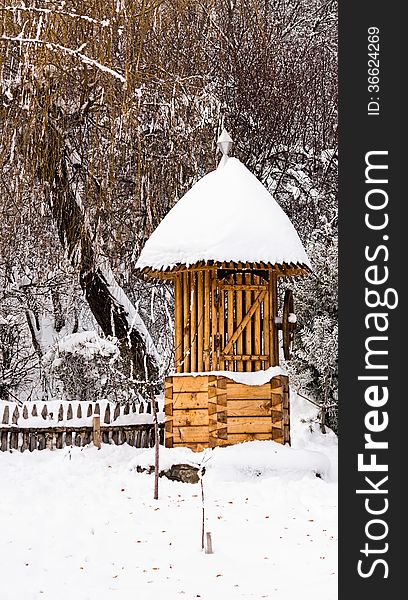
(54, 424)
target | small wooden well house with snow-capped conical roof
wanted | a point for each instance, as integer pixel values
(225, 245)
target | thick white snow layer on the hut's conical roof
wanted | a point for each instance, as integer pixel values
(228, 215)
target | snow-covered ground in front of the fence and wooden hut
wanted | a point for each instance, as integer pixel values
(82, 524)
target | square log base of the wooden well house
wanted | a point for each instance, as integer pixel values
(206, 411)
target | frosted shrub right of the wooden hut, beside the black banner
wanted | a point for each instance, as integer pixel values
(313, 367)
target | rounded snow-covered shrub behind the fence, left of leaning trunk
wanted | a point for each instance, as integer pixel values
(84, 366)
